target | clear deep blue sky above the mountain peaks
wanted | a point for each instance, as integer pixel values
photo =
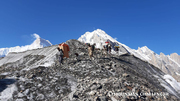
(136, 23)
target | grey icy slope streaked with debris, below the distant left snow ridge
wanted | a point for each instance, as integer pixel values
(47, 53)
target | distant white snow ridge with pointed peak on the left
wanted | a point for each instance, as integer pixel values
(38, 43)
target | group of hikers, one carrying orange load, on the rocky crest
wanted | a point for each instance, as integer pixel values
(64, 50)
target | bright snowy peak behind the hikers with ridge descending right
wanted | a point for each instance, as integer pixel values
(168, 64)
